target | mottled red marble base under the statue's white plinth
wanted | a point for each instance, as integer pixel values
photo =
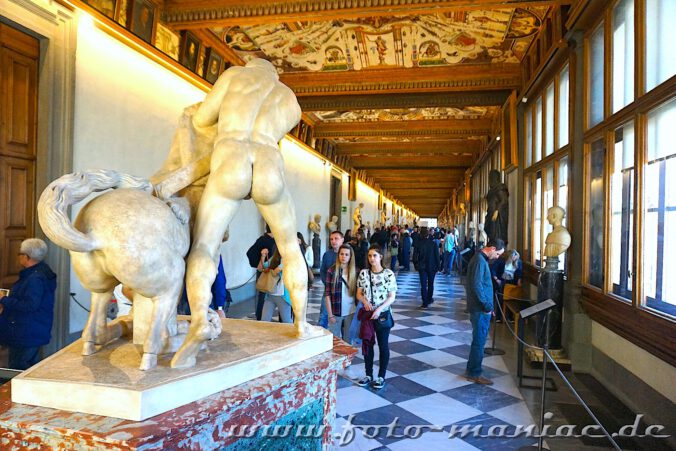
(205, 424)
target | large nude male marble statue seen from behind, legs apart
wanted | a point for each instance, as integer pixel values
(253, 110)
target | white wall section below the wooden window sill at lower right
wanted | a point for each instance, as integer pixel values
(651, 370)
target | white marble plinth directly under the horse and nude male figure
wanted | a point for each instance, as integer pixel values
(109, 382)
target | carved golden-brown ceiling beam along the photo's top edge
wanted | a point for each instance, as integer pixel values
(185, 14)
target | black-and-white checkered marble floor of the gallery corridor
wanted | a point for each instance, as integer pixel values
(426, 397)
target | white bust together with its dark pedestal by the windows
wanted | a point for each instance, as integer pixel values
(550, 285)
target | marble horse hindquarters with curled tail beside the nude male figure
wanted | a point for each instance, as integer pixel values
(123, 236)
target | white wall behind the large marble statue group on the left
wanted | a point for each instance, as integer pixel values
(126, 108)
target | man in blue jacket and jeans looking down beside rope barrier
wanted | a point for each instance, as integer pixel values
(480, 306)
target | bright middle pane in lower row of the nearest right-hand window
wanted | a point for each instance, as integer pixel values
(622, 211)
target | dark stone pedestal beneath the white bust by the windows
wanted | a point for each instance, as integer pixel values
(550, 286)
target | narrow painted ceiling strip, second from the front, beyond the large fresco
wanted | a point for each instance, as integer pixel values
(405, 114)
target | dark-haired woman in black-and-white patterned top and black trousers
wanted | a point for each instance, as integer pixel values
(376, 290)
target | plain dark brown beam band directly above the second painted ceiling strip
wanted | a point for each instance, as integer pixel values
(402, 100)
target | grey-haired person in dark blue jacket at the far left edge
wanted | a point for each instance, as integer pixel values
(27, 313)
